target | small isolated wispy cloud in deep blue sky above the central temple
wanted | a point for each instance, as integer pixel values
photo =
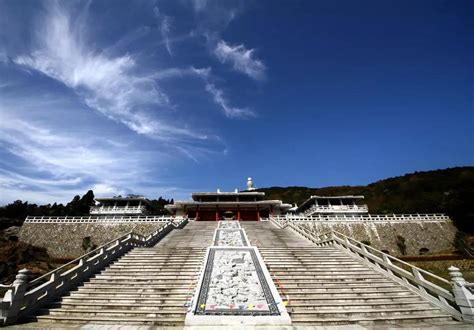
(242, 59)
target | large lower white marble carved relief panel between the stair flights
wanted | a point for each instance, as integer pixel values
(234, 283)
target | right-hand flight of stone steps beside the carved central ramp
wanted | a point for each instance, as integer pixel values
(327, 286)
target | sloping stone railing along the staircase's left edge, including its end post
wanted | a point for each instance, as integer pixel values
(24, 297)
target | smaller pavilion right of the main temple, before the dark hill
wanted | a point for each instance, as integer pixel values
(320, 205)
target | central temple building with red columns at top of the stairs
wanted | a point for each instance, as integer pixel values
(213, 206)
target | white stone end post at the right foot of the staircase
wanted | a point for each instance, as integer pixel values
(463, 294)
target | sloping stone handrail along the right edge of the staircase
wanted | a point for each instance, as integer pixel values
(413, 278)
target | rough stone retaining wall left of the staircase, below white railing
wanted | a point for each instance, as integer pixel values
(65, 240)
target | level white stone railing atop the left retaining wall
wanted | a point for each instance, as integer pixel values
(106, 219)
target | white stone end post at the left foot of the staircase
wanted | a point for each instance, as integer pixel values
(13, 299)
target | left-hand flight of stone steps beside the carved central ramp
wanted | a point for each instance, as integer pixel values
(147, 286)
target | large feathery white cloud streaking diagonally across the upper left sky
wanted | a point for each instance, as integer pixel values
(106, 84)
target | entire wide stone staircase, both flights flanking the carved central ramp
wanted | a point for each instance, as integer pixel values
(326, 285)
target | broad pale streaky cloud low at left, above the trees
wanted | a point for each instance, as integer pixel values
(52, 164)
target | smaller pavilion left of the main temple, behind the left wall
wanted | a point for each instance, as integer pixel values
(121, 206)
